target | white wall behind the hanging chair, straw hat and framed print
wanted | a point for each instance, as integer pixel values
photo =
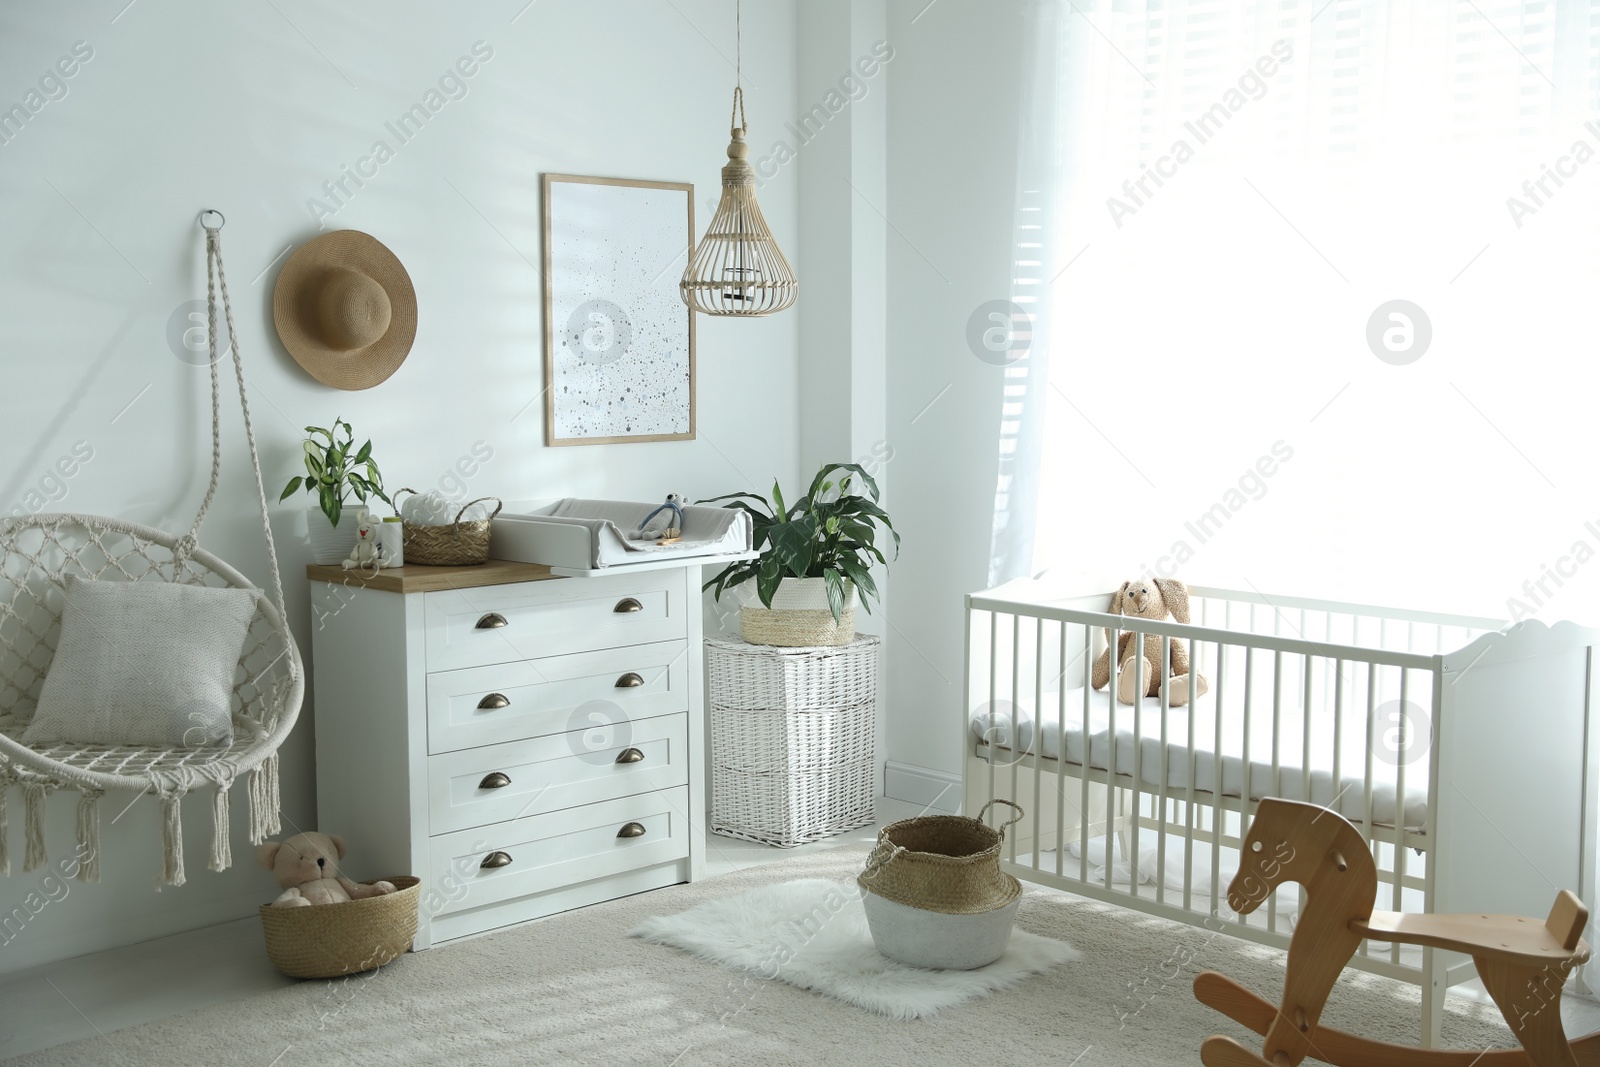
(250, 110)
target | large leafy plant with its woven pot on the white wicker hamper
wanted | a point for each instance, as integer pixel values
(817, 561)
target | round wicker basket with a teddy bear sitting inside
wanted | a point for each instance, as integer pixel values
(326, 925)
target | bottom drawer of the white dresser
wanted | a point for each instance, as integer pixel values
(556, 850)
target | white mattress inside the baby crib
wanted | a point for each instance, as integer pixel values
(1223, 753)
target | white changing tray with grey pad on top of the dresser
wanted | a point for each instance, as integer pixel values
(577, 535)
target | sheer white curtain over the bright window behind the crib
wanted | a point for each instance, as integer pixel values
(1313, 305)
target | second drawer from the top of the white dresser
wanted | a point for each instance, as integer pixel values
(535, 698)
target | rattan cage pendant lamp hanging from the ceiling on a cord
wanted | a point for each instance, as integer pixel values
(738, 268)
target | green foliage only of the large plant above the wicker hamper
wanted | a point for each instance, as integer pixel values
(830, 533)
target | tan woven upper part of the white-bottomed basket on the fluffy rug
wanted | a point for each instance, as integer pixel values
(948, 865)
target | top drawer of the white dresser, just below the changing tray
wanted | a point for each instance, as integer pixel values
(498, 625)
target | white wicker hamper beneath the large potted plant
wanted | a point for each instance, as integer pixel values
(793, 740)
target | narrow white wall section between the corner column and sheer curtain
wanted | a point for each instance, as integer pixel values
(953, 129)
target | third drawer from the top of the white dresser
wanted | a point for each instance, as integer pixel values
(524, 778)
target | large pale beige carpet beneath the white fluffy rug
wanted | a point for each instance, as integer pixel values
(578, 991)
